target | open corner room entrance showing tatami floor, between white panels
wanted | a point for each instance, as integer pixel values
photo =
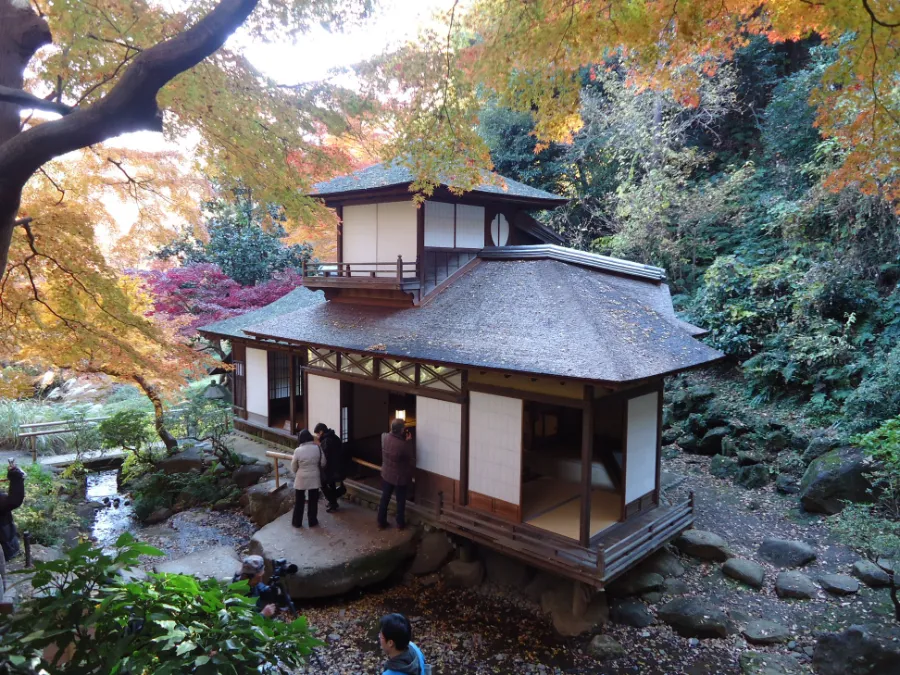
(551, 472)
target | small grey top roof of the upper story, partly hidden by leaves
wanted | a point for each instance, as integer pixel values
(394, 173)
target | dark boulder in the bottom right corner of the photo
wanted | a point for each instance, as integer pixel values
(859, 650)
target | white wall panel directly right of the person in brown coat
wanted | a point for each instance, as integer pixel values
(438, 436)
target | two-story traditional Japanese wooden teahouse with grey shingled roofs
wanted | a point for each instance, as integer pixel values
(532, 373)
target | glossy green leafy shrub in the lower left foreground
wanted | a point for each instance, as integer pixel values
(84, 617)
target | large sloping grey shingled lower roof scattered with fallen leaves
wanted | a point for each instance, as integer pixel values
(535, 316)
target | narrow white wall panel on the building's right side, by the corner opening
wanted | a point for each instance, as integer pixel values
(640, 446)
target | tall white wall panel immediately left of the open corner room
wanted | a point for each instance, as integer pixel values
(495, 446)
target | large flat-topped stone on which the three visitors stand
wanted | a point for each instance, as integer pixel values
(345, 552)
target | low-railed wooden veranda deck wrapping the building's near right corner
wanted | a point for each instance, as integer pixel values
(611, 553)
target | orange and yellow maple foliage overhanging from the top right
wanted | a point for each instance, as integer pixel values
(528, 56)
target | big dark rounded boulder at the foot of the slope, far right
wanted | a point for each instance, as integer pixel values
(836, 477)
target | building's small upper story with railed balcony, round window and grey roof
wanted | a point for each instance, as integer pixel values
(392, 251)
